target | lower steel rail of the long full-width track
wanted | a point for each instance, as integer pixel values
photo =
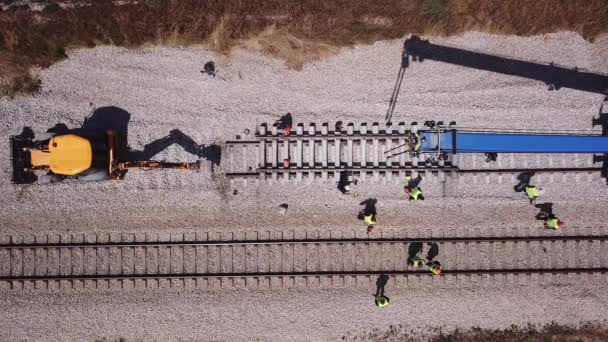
(575, 270)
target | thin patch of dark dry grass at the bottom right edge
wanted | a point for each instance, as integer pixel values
(589, 332)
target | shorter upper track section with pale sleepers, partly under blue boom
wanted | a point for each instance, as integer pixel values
(318, 152)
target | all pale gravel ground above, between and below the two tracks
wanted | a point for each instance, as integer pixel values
(163, 89)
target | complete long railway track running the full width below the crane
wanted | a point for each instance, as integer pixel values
(45, 263)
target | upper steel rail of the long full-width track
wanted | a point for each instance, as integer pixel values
(305, 241)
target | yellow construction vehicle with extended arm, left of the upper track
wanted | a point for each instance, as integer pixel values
(50, 158)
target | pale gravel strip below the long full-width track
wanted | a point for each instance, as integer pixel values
(289, 315)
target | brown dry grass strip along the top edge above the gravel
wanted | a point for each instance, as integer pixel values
(294, 30)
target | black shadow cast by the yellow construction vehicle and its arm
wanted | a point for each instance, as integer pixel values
(105, 118)
